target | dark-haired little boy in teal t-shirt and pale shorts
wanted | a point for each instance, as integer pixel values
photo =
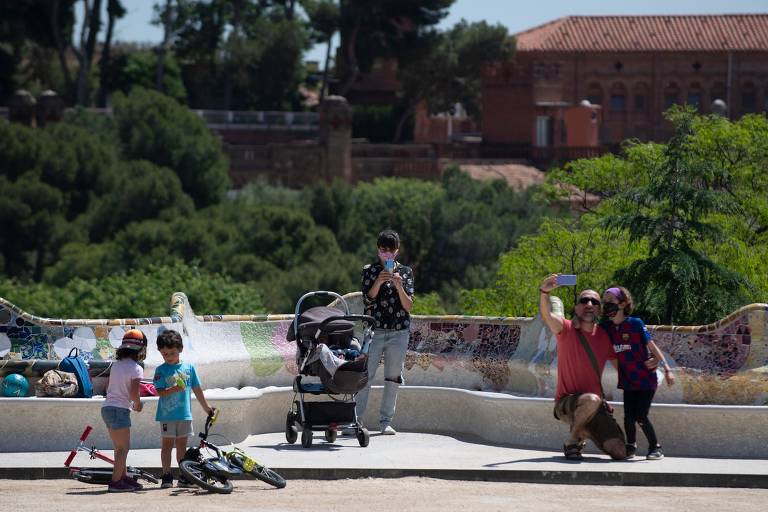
(173, 381)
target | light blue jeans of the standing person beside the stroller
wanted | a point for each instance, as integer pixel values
(392, 345)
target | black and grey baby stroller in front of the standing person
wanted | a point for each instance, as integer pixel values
(326, 348)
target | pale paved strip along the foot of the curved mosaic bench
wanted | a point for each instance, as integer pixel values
(437, 456)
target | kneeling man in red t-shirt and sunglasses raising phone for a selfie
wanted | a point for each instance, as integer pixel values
(579, 392)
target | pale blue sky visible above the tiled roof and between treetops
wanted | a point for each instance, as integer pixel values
(516, 15)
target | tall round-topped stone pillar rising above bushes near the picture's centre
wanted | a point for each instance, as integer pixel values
(336, 138)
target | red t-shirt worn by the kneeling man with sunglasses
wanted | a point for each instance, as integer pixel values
(575, 374)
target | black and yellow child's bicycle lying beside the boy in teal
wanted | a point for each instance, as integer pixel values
(214, 473)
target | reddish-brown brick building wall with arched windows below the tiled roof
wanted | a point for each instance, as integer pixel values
(633, 88)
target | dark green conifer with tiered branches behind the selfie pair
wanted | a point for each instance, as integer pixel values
(677, 282)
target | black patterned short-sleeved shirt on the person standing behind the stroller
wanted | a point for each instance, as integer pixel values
(386, 307)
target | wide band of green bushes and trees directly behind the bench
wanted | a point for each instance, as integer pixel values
(107, 216)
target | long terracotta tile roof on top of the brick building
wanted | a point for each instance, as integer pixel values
(736, 32)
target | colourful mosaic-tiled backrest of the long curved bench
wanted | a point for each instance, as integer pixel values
(724, 363)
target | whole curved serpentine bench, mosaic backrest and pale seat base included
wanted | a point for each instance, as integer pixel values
(486, 361)
